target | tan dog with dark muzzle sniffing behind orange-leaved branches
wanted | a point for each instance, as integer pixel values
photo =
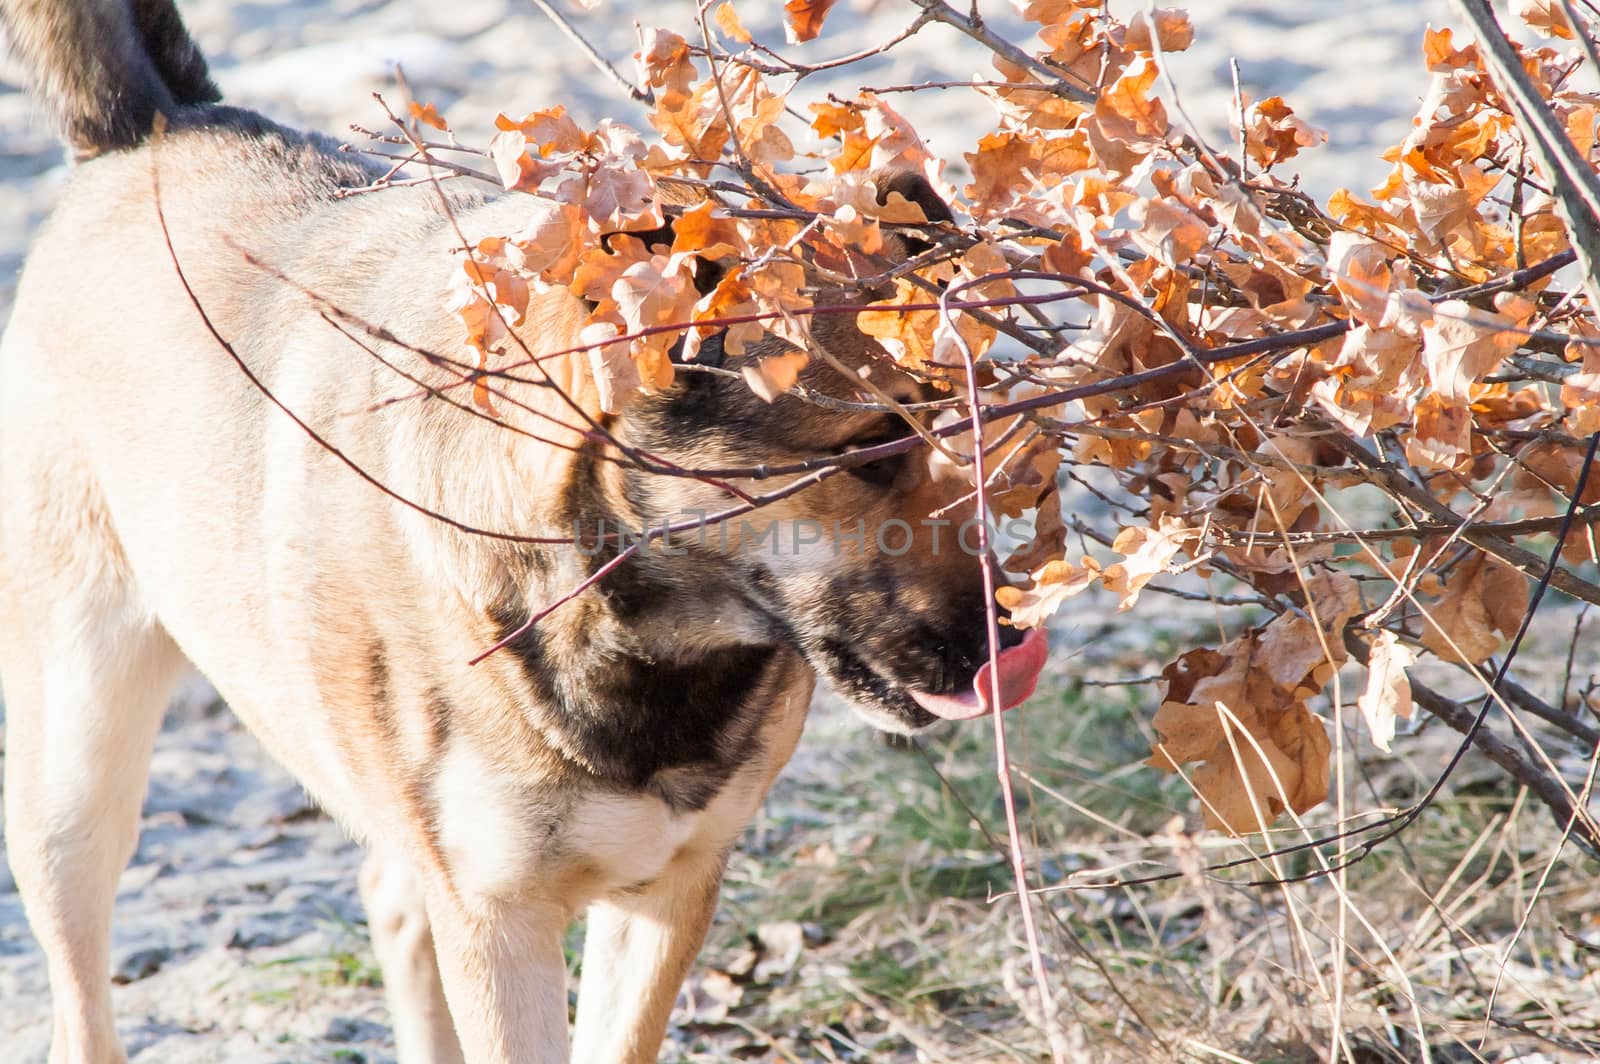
(183, 481)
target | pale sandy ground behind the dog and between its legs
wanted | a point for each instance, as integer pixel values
(236, 922)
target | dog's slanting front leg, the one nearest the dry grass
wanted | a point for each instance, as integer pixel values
(638, 948)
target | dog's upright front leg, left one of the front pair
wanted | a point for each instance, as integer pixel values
(505, 977)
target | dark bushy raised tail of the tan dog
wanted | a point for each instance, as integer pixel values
(108, 66)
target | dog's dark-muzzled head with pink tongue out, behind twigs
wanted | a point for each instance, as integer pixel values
(873, 574)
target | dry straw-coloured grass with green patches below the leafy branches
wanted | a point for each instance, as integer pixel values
(868, 918)
